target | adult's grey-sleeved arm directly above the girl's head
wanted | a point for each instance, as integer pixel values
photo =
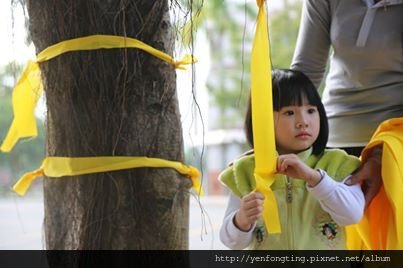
(313, 43)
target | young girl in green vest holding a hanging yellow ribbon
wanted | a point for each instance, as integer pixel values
(313, 199)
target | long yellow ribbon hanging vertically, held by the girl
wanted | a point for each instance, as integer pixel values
(263, 122)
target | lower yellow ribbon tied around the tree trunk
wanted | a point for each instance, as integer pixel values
(56, 167)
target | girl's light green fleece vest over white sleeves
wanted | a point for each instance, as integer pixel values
(304, 224)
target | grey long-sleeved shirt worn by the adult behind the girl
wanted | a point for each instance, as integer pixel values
(364, 85)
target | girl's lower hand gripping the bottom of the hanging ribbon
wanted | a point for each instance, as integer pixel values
(250, 210)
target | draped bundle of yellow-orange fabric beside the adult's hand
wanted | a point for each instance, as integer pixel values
(381, 226)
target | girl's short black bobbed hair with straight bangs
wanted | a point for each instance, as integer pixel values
(292, 87)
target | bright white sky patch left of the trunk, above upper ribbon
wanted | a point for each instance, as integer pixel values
(12, 45)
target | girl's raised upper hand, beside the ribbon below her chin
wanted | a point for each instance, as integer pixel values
(291, 165)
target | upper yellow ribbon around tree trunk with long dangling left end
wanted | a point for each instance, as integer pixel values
(29, 87)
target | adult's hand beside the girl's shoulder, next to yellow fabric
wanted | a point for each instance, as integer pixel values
(370, 175)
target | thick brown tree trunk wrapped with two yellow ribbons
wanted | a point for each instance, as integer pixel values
(111, 102)
